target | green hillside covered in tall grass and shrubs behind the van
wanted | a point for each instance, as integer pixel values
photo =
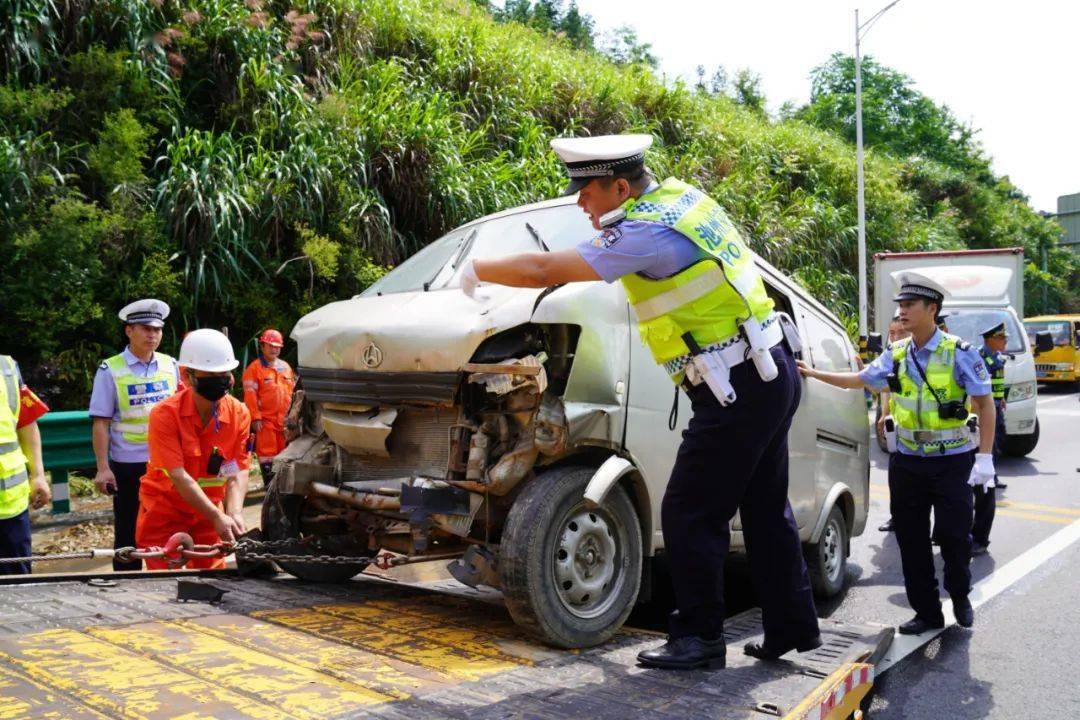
(249, 160)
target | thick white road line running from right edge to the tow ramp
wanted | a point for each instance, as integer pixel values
(985, 590)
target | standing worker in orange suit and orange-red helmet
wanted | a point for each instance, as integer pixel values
(268, 391)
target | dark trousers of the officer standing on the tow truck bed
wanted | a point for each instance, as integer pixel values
(736, 458)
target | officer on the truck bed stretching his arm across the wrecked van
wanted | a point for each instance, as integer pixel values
(704, 311)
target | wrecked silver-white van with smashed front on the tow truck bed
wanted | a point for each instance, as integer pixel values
(526, 437)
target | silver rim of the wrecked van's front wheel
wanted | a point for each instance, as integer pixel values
(588, 562)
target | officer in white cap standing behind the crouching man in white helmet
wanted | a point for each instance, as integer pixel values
(126, 388)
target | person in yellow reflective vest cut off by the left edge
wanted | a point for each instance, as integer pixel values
(22, 474)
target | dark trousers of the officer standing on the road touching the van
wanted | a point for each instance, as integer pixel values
(917, 484)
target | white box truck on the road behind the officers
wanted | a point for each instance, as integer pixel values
(984, 288)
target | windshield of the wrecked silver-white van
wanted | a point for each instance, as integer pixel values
(439, 265)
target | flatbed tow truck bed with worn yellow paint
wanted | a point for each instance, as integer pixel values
(374, 649)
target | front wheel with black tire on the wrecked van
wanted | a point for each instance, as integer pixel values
(571, 574)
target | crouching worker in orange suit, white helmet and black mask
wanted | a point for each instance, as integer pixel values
(197, 477)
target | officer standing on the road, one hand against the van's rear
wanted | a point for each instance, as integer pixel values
(931, 375)
